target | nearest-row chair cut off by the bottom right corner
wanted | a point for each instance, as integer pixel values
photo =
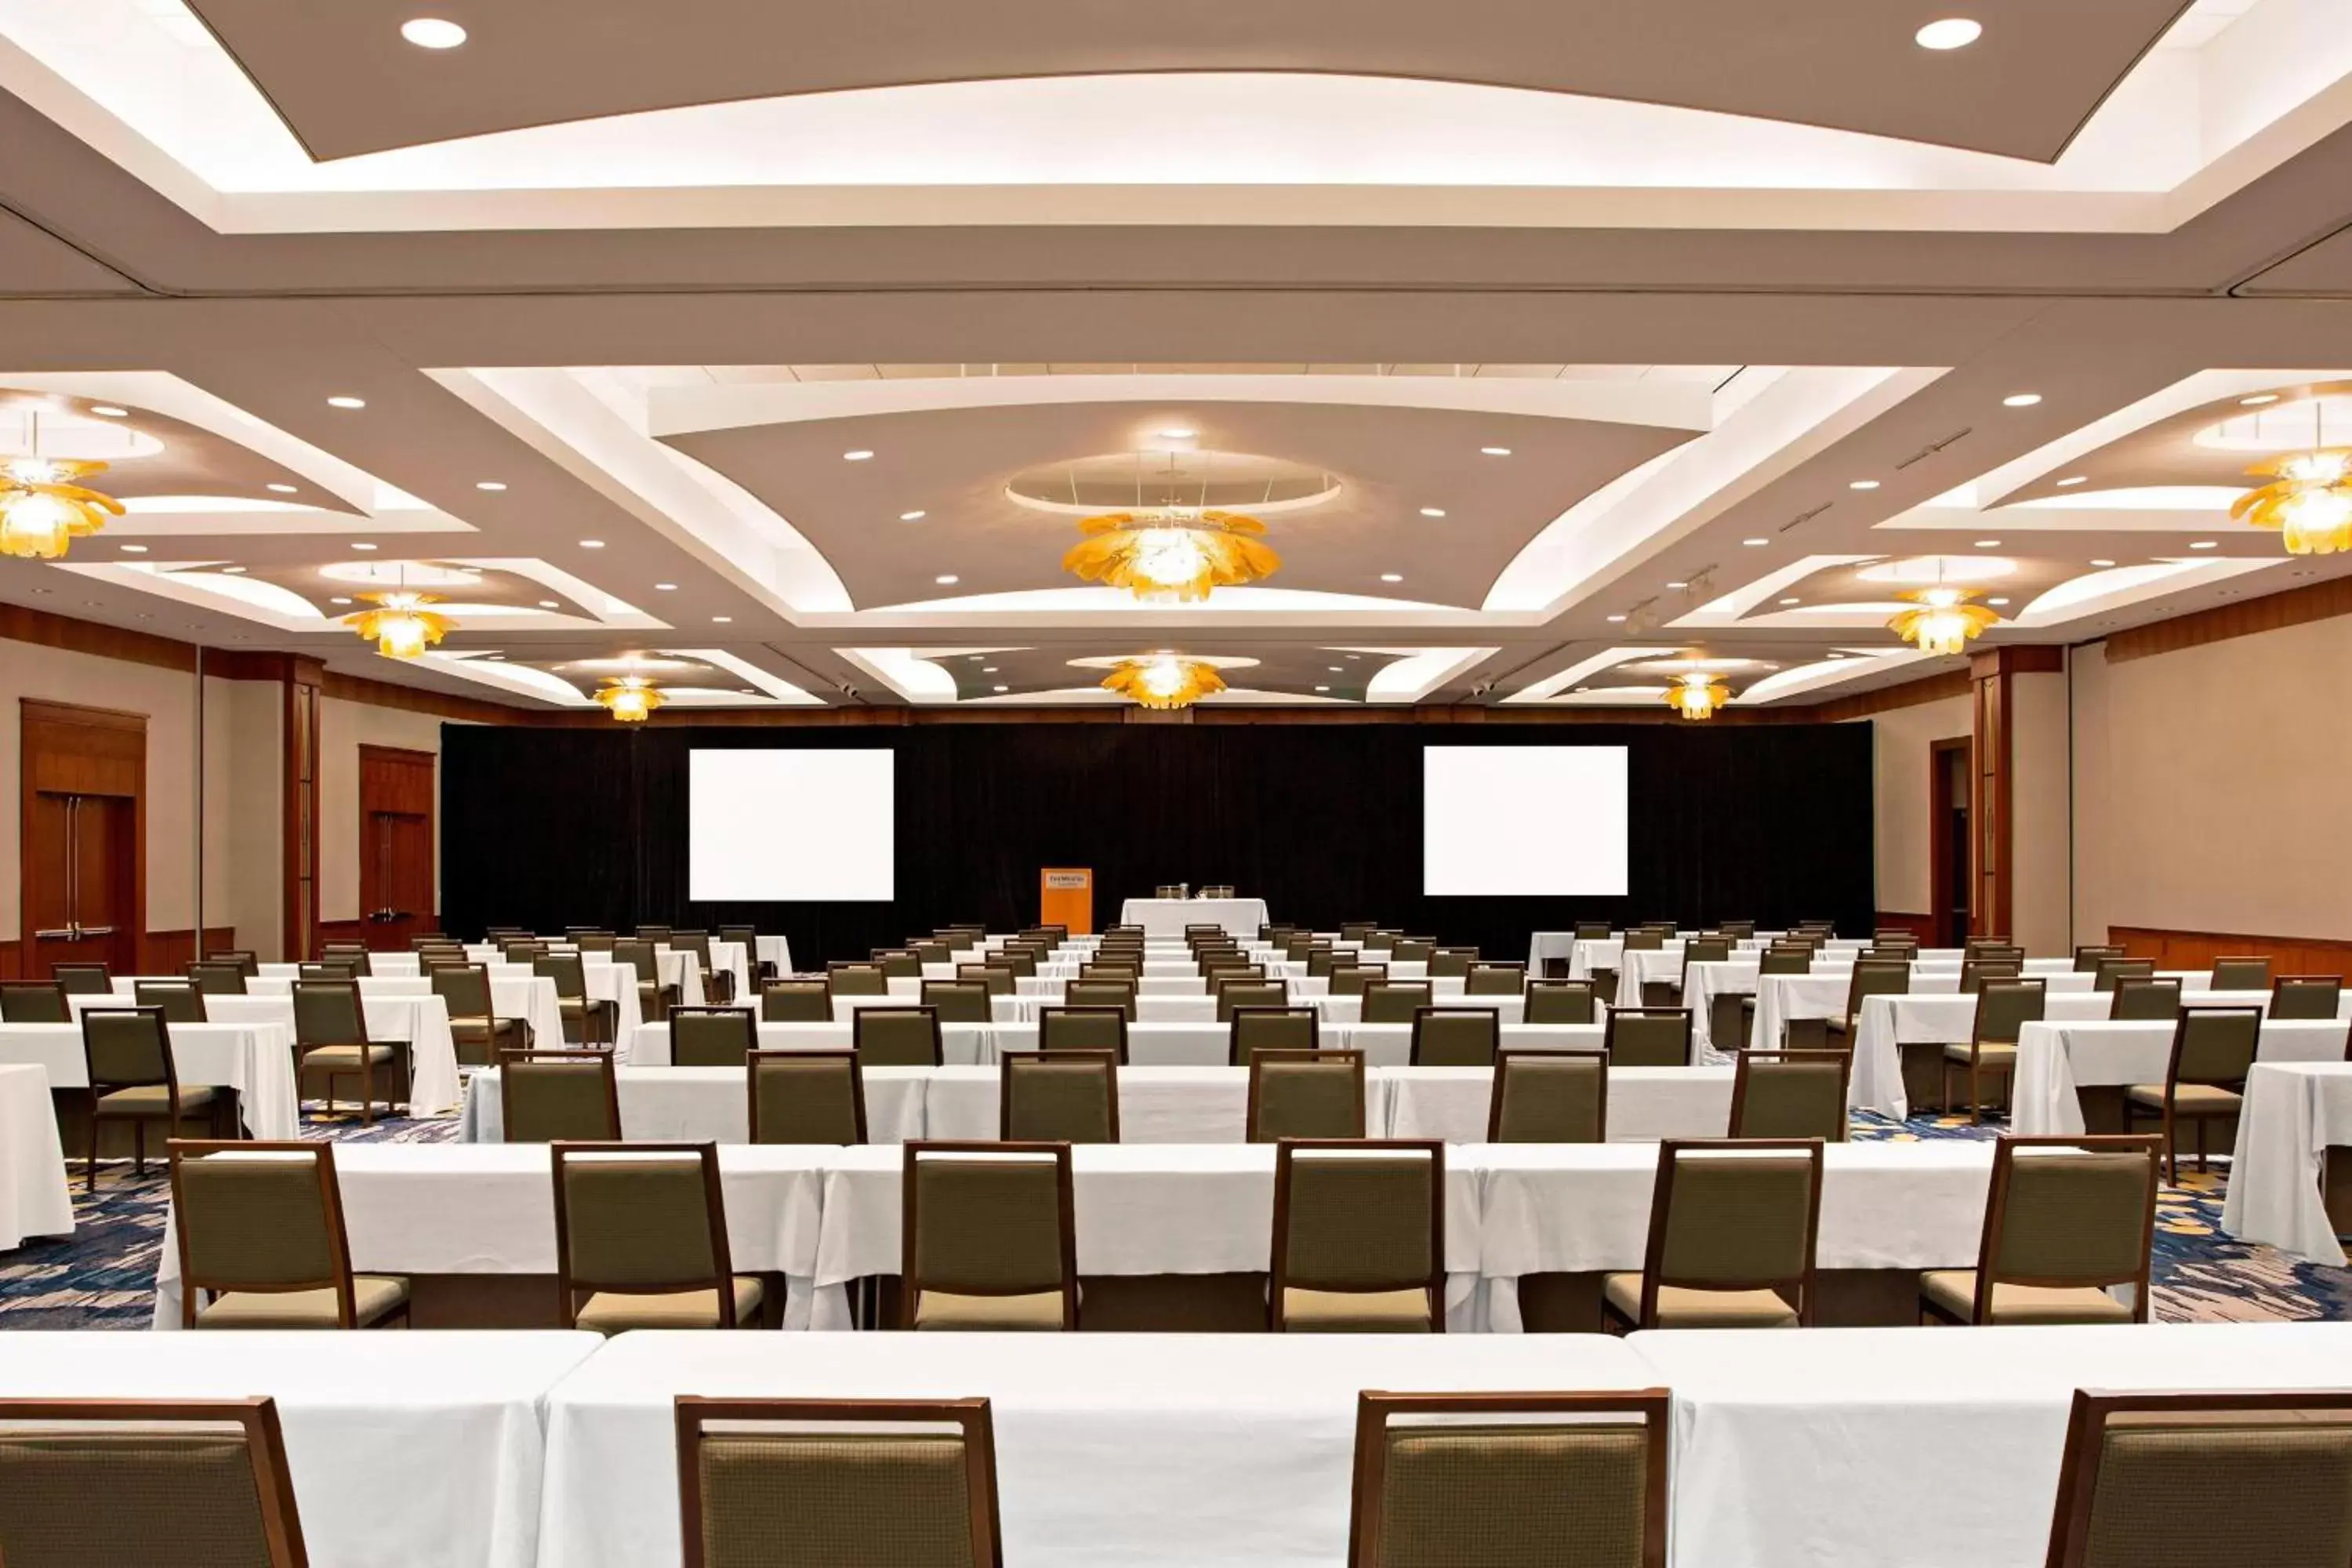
(2205, 1480)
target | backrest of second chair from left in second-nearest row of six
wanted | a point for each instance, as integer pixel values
(641, 1219)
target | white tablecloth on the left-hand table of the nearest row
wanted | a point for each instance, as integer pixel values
(406, 1449)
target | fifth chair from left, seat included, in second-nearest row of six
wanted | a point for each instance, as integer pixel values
(1732, 1233)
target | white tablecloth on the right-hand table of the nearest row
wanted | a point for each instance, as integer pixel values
(1902, 1449)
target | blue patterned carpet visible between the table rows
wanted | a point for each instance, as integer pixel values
(105, 1278)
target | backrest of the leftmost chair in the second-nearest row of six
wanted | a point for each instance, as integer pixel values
(258, 1217)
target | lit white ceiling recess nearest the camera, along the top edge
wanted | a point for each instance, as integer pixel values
(2198, 119)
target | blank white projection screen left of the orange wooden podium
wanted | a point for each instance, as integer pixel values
(791, 826)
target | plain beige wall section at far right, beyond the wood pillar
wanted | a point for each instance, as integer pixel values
(2210, 786)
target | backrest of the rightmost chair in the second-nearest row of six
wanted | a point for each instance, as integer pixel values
(2071, 1212)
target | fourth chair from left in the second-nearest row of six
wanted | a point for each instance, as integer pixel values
(1361, 1238)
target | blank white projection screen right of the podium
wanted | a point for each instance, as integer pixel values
(1523, 822)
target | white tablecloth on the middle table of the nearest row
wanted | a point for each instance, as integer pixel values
(1147, 1452)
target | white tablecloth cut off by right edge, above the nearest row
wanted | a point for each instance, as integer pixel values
(2294, 1113)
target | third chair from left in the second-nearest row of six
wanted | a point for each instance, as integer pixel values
(989, 1238)
